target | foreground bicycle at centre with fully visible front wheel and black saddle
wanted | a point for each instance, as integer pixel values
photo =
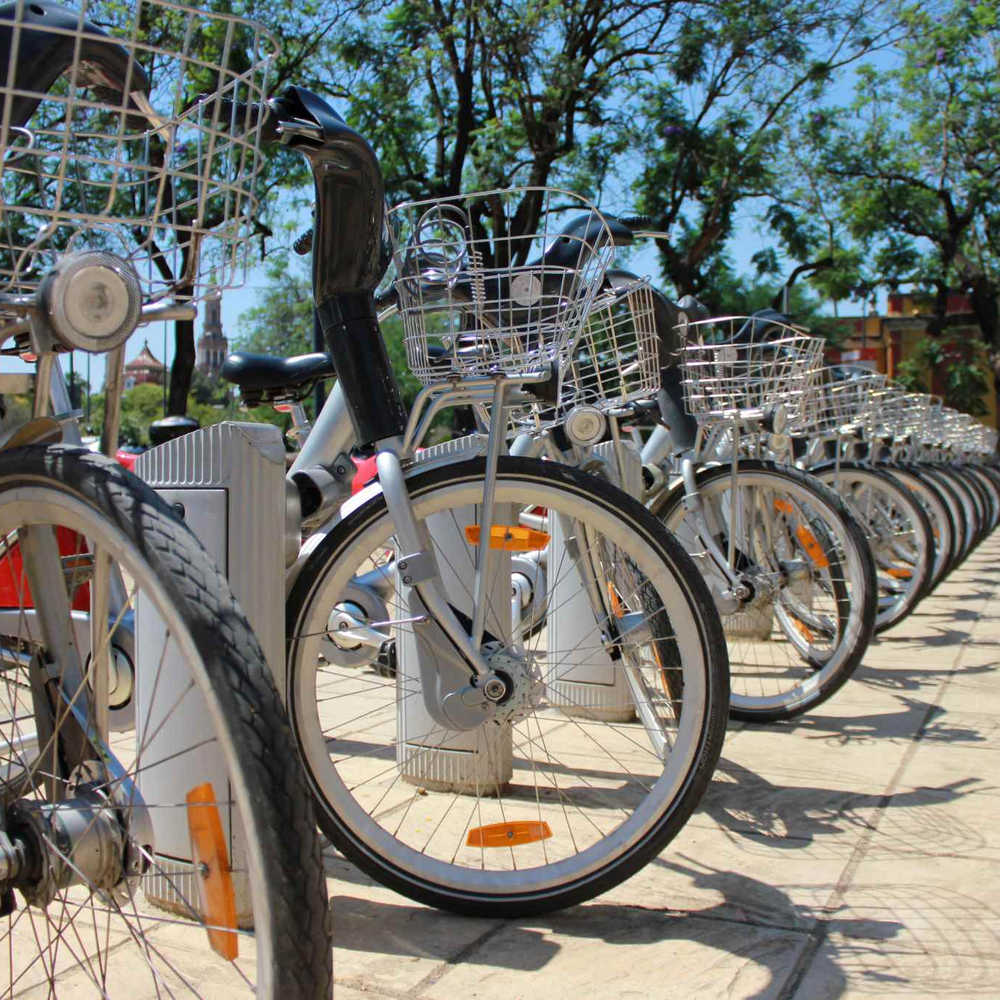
(438, 761)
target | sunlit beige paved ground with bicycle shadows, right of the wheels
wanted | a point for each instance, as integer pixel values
(850, 853)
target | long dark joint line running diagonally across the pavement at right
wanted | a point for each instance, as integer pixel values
(818, 936)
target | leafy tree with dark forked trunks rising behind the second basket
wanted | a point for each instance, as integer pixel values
(472, 94)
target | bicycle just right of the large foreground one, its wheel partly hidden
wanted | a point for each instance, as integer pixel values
(789, 565)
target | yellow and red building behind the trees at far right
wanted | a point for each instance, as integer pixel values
(883, 342)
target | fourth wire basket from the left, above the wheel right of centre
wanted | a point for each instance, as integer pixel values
(736, 367)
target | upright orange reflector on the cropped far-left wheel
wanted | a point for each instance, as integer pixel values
(215, 886)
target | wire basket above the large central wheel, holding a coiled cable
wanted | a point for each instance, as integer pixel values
(498, 282)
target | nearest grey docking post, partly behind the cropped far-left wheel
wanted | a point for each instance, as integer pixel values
(227, 483)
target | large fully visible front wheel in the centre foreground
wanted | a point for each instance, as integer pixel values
(596, 761)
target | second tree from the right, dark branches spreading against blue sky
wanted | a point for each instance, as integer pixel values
(713, 124)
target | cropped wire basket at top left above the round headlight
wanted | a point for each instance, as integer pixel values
(138, 138)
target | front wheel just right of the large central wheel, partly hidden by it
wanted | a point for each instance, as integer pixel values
(805, 611)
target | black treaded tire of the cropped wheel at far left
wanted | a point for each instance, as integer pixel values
(240, 681)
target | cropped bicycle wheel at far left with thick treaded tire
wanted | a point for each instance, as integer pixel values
(88, 551)
